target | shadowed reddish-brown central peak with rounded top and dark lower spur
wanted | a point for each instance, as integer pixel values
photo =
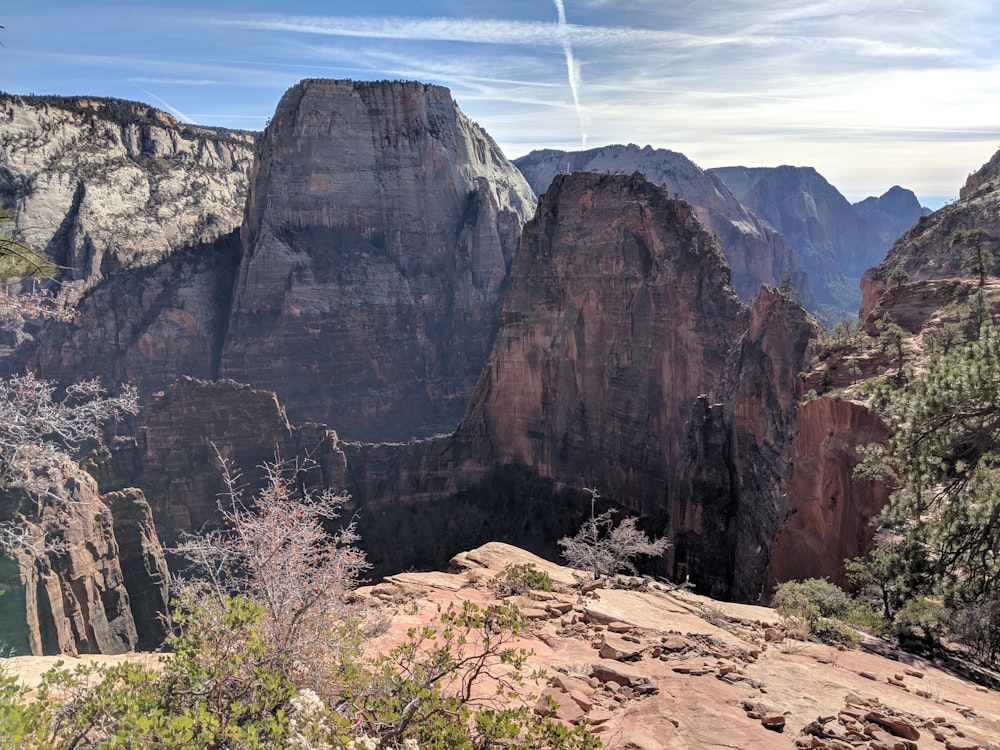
(625, 361)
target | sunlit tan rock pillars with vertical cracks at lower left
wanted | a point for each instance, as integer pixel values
(77, 586)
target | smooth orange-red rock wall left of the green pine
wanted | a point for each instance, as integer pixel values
(830, 521)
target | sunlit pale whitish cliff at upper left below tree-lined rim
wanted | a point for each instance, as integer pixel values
(102, 184)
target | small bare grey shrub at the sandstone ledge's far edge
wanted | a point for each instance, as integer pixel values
(605, 549)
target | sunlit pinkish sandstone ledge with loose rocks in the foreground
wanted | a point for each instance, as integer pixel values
(655, 667)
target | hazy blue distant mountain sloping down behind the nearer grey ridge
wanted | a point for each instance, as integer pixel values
(834, 243)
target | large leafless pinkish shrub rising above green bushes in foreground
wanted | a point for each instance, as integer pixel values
(273, 549)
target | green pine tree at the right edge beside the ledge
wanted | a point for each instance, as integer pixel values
(943, 520)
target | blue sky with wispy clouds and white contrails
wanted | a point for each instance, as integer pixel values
(871, 93)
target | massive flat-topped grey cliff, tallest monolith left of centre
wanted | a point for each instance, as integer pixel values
(379, 230)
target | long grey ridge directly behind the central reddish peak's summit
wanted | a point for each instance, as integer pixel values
(756, 253)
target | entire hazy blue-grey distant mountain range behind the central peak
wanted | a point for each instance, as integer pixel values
(832, 241)
